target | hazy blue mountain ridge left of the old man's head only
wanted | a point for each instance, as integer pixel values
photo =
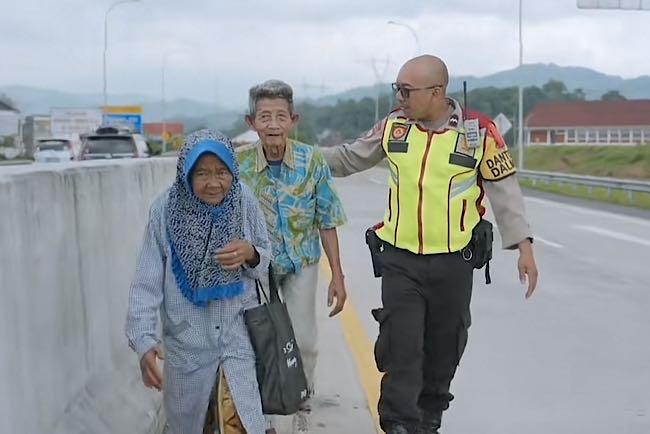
(32, 100)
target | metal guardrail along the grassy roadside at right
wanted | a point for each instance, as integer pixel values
(629, 186)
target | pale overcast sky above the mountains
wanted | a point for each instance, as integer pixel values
(216, 50)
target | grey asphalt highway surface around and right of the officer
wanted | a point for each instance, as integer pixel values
(573, 359)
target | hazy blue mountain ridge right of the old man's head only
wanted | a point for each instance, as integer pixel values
(593, 83)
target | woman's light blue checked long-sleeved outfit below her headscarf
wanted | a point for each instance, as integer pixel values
(197, 340)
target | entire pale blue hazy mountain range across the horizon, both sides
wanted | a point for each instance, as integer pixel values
(32, 100)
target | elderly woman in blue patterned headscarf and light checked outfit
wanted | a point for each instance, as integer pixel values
(205, 244)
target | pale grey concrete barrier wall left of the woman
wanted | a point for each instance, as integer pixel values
(69, 238)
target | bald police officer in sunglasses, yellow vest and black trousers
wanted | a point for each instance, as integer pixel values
(442, 160)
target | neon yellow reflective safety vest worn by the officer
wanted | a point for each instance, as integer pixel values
(434, 196)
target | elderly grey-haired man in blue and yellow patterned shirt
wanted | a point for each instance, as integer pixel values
(293, 184)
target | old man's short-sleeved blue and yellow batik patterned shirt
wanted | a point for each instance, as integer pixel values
(297, 203)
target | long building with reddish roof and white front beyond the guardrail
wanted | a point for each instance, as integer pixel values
(625, 122)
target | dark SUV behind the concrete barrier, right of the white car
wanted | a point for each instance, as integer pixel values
(111, 142)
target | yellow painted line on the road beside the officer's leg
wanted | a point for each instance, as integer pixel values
(362, 350)
